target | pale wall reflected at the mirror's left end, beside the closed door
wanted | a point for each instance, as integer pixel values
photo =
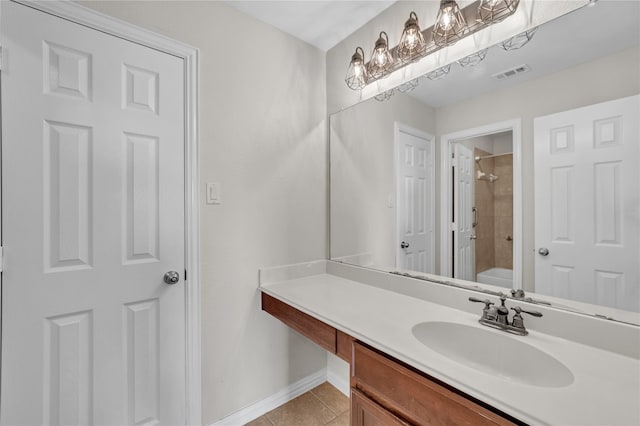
(363, 177)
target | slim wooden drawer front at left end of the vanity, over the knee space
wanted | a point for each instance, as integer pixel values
(317, 331)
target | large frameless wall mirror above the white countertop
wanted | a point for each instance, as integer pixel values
(516, 172)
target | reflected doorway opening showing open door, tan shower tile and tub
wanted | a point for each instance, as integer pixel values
(482, 216)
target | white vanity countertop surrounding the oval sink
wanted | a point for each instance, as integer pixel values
(606, 386)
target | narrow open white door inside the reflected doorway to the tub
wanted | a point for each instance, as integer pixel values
(464, 242)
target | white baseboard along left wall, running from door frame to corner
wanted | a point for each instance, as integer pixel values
(285, 395)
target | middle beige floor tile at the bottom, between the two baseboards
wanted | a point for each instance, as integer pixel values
(305, 410)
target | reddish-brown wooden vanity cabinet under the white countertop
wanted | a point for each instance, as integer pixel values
(384, 391)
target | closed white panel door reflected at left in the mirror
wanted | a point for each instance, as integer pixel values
(415, 209)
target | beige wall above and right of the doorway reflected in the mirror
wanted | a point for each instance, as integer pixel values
(608, 78)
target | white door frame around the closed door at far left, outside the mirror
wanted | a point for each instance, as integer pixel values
(190, 55)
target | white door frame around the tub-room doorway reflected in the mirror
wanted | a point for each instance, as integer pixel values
(446, 148)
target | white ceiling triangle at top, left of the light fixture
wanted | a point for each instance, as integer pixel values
(320, 23)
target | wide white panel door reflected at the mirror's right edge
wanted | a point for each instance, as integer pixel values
(587, 198)
